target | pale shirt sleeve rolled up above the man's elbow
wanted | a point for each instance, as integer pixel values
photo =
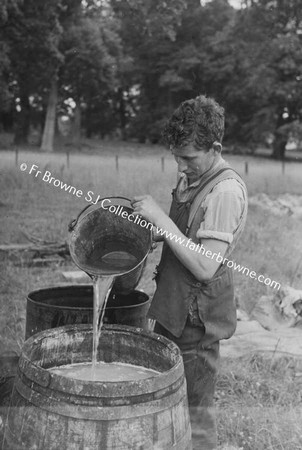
(223, 210)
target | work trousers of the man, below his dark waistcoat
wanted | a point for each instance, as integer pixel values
(201, 368)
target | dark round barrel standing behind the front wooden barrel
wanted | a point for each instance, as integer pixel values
(67, 305)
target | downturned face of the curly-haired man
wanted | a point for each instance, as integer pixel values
(192, 162)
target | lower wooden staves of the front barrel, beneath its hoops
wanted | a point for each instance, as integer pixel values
(147, 432)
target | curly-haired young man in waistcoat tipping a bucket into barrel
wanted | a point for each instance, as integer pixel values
(194, 301)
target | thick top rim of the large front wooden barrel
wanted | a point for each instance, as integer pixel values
(43, 377)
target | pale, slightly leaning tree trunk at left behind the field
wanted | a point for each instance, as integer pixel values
(49, 127)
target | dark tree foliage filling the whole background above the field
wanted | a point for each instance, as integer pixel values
(127, 64)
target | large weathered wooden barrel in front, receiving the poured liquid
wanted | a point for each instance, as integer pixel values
(50, 411)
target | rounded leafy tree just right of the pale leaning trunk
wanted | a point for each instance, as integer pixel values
(91, 47)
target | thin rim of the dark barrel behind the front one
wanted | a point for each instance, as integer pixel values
(80, 308)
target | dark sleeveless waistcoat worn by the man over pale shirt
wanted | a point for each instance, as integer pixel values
(177, 288)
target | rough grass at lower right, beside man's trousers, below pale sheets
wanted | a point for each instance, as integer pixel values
(259, 403)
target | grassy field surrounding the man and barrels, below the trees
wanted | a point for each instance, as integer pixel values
(258, 399)
